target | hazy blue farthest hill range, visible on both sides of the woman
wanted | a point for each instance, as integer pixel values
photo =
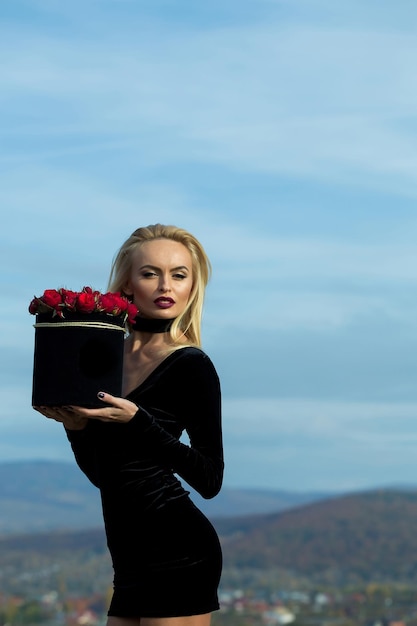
(36, 496)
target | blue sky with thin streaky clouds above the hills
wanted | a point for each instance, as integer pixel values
(283, 134)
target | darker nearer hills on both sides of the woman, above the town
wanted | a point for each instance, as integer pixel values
(355, 538)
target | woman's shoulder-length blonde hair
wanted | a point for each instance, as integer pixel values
(189, 322)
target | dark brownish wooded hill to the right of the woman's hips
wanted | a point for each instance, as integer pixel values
(357, 536)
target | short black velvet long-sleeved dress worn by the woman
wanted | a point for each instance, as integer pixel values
(166, 554)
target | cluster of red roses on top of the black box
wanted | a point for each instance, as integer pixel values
(60, 302)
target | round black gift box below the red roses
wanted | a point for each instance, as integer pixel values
(76, 357)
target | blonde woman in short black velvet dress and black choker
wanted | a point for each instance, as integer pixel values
(165, 553)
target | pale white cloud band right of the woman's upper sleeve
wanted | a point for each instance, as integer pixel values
(352, 424)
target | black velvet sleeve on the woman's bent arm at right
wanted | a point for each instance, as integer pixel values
(196, 398)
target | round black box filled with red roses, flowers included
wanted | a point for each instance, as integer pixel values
(79, 345)
